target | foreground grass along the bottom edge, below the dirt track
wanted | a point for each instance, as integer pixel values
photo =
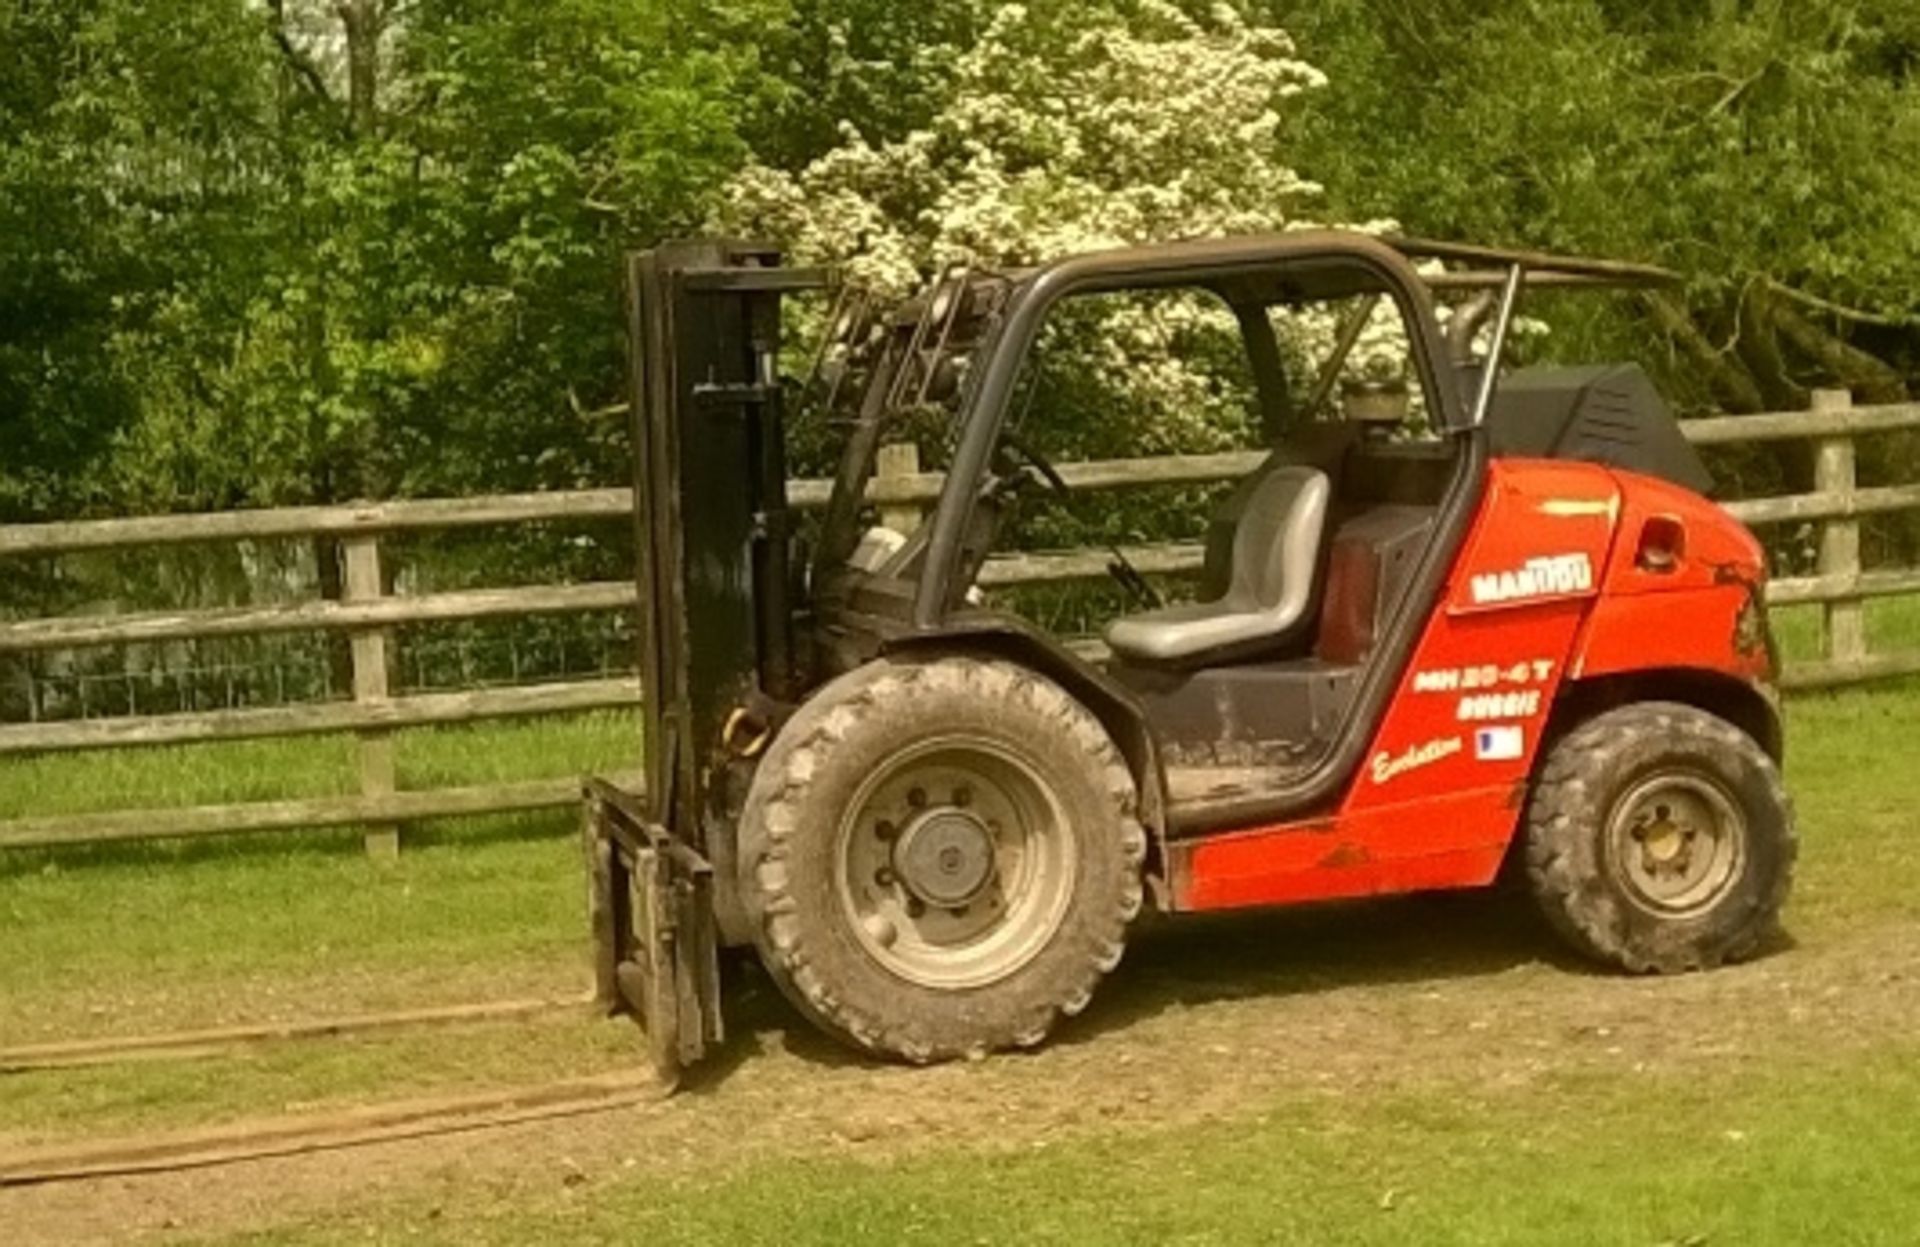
(1800, 1154)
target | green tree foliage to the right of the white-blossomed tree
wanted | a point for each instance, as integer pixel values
(1767, 141)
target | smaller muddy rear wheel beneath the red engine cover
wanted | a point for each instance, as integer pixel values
(1660, 839)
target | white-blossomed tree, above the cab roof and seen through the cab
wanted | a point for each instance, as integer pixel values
(1068, 130)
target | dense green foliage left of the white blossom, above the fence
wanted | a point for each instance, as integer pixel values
(226, 281)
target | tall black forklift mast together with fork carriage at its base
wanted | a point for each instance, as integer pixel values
(717, 604)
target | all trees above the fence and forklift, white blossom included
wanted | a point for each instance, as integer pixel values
(283, 251)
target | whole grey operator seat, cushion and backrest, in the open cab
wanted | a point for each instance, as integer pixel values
(1276, 556)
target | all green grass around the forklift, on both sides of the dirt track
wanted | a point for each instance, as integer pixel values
(1777, 1144)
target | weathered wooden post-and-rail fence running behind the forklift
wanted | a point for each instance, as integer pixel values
(366, 612)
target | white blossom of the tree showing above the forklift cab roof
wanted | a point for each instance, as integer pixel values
(1061, 130)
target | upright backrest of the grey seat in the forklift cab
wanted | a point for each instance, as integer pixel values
(1276, 547)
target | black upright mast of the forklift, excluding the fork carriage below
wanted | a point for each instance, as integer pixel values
(713, 527)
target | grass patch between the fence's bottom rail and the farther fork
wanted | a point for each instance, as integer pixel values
(166, 939)
